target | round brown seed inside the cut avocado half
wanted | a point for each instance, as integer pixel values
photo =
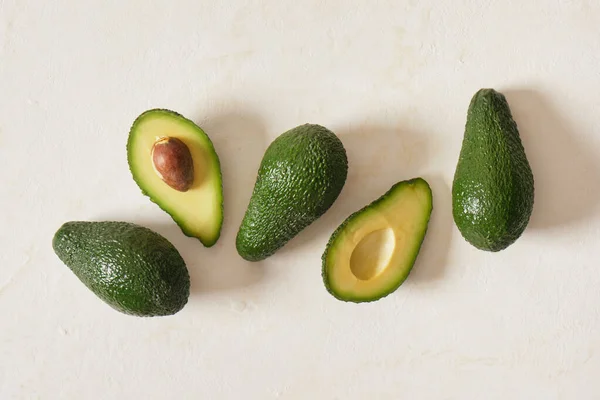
(173, 163)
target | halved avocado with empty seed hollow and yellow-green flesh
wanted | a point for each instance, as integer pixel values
(373, 251)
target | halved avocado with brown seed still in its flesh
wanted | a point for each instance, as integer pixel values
(175, 164)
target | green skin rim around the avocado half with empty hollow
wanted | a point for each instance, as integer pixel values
(393, 285)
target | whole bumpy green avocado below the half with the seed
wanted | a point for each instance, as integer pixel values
(133, 269)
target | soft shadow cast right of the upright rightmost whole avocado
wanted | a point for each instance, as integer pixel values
(565, 170)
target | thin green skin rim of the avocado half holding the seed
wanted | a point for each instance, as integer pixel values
(206, 242)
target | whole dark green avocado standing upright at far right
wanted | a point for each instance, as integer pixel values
(493, 188)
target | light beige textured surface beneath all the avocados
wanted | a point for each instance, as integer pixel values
(393, 79)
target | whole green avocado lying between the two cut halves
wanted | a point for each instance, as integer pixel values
(300, 176)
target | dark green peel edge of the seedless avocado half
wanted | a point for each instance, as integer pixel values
(374, 204)
